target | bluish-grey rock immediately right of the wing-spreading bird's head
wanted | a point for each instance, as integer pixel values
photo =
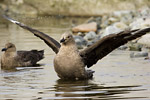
(80, 42)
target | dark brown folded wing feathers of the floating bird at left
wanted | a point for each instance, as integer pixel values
(32, 56)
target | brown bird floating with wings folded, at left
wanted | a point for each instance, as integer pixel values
(12, 58)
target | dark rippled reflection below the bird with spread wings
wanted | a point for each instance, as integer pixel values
(86, 90)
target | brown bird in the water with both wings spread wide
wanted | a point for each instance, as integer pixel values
(69, 63)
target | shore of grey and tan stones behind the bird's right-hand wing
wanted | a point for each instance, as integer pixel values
(97, 27)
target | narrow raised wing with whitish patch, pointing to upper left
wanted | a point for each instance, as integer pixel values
(47, 39)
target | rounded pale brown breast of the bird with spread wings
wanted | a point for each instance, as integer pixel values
(67, 63)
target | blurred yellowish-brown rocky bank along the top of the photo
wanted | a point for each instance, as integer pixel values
(70, 7)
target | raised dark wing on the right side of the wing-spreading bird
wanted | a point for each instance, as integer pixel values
(107, 44)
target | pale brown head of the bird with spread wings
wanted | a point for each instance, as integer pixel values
(67, 38)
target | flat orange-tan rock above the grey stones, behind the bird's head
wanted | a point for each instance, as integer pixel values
(86, 27)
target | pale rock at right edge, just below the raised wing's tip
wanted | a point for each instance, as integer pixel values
(145, 40)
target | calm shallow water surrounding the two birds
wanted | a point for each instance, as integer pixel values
(116, 77)
